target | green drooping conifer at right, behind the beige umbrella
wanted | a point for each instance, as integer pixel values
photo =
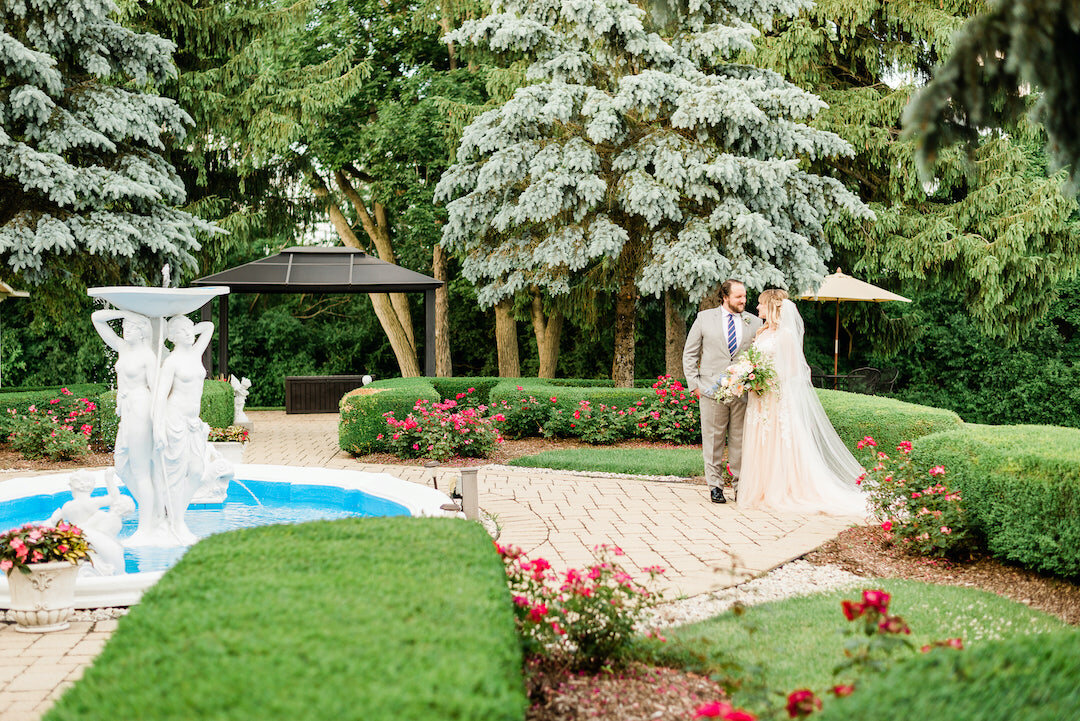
(996, 234)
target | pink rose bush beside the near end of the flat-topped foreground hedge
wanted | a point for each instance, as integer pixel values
(584, 618)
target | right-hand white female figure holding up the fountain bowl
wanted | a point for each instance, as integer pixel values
(180, 436)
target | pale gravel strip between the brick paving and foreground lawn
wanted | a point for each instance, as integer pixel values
(798, 578)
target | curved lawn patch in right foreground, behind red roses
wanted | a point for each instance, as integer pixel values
(795, 644)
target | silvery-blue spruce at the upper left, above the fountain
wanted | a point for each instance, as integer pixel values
(86, 191)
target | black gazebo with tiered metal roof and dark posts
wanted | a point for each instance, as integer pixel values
(320, 270)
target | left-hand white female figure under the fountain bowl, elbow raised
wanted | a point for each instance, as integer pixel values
(137, 371)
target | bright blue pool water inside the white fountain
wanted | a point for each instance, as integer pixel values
(248, 505)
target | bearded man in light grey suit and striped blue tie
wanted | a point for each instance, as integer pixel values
(717, 337)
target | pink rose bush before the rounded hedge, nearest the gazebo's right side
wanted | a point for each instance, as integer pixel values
(443, 430)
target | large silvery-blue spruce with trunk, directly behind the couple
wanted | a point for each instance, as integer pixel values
(639, 158)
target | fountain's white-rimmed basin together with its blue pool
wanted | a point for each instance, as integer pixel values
(287, 495)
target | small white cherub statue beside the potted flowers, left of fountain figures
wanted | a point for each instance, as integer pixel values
(101, 520)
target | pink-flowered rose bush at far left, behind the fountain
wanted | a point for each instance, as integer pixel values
(59, 431)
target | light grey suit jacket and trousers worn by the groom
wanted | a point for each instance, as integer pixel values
(705, 359)
